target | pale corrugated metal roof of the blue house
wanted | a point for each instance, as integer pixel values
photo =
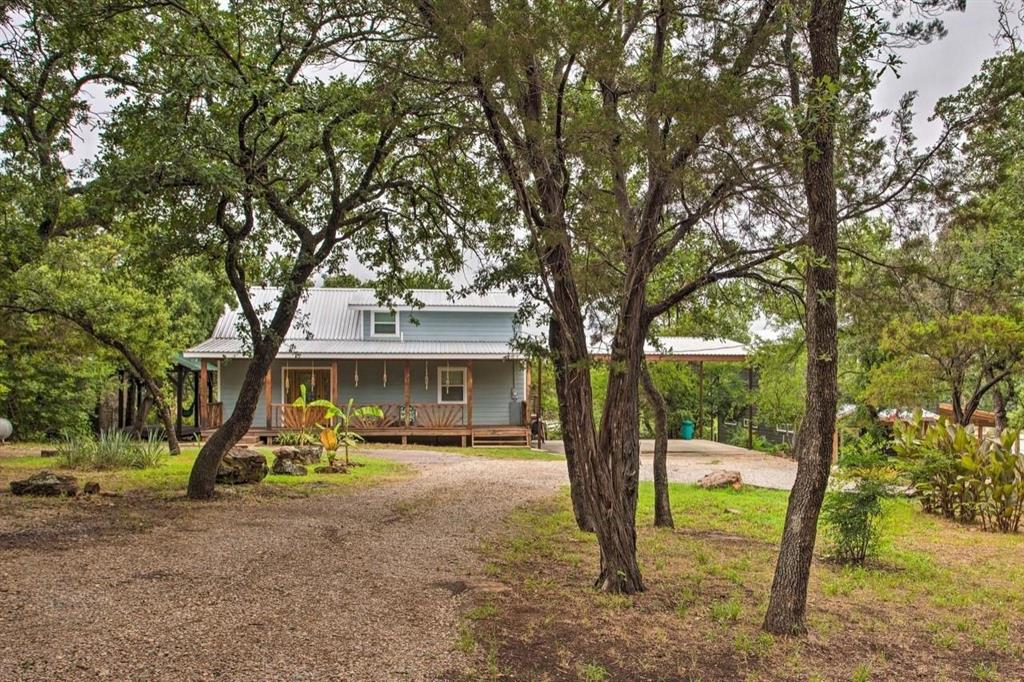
(327, 325)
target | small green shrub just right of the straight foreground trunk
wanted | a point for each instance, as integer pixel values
(852, 511)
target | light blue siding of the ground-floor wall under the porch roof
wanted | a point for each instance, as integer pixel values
(494, 383)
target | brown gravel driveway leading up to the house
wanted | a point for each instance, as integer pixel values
(359, 586)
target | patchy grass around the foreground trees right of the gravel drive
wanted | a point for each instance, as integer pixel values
(942, 603)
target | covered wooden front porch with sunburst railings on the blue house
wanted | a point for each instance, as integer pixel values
(472, 402)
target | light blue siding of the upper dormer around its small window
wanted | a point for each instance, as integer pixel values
(448, 326)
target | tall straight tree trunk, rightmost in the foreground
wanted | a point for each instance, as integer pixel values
(788, 604)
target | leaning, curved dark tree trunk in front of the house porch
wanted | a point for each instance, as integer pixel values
(204, 474)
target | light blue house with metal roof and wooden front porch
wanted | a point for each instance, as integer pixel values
(446, 370)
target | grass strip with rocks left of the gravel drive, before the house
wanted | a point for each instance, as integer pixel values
(173, 477)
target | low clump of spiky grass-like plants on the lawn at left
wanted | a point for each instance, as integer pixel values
(112, 450)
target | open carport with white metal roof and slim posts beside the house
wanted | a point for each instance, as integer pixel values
(698, 352)
